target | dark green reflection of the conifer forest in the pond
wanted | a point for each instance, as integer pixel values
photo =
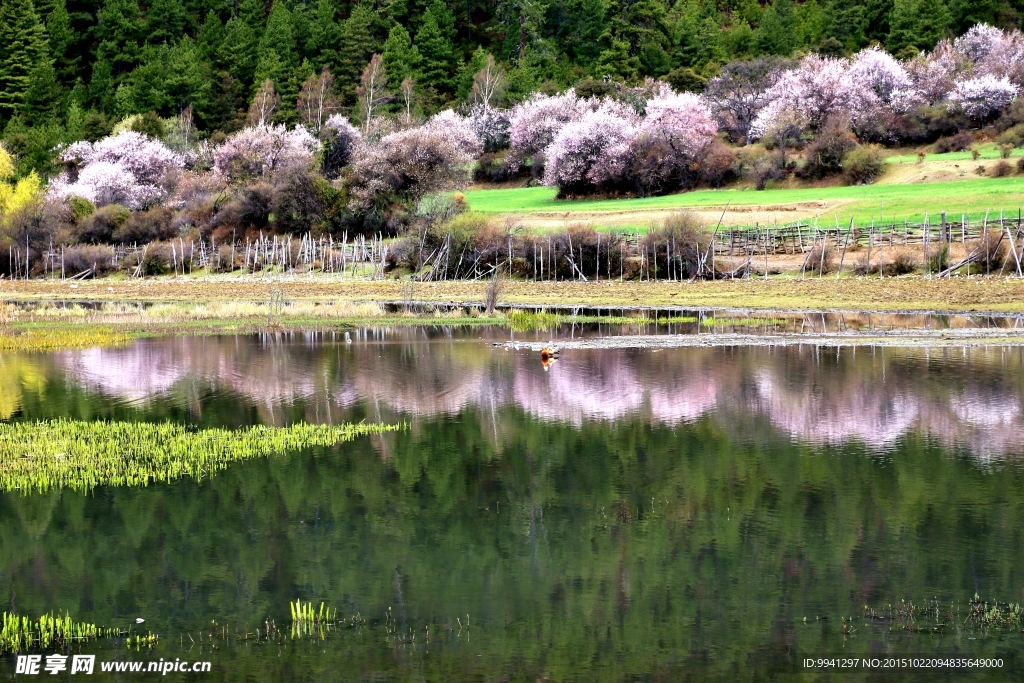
(607, 552)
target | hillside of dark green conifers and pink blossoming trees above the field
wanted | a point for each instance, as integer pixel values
(139, 123)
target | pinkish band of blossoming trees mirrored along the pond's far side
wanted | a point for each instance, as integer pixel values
(968, 398)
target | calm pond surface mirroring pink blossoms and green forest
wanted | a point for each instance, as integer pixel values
(619, 517)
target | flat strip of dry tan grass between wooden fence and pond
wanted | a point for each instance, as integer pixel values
(908, 294)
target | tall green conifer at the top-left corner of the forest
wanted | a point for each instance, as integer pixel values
(23, 50)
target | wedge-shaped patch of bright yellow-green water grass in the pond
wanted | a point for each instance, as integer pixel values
(81, 456)
